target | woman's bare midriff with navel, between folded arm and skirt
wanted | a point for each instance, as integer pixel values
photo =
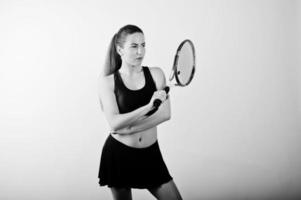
(138, 140)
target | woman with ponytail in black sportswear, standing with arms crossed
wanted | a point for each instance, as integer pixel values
(131, 156)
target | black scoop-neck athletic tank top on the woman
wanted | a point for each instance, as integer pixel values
(129, 100)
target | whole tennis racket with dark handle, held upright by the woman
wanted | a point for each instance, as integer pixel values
(182, 71)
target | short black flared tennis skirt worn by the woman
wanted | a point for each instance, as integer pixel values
(123, 166)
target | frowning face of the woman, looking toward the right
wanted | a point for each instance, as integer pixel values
(133, 49)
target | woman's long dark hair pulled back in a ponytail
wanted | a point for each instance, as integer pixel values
(113, 59)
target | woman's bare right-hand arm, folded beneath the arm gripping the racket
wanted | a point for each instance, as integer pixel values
(161, 115)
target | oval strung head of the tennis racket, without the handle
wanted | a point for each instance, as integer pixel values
(184, 63)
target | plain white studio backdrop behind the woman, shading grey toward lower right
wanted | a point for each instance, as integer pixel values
(234, 133)
